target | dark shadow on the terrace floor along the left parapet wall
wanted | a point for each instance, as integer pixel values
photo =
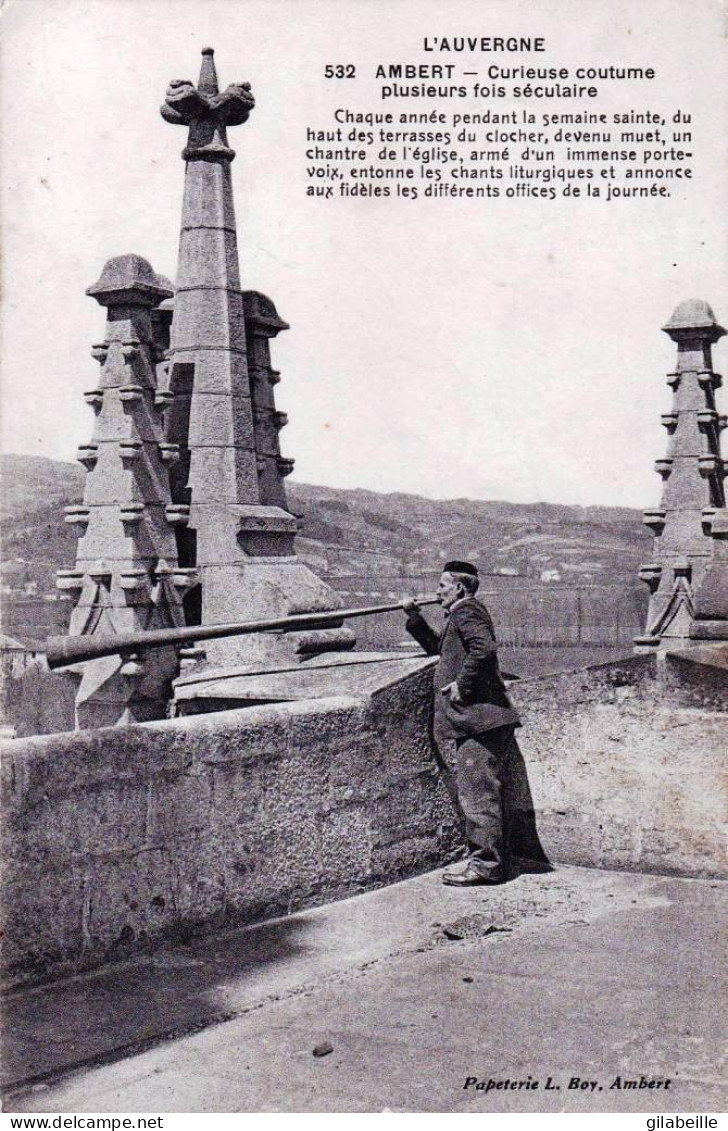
(124, 1008)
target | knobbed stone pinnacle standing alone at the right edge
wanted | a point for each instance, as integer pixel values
(690, 524)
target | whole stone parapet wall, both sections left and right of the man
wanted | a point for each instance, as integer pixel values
(119, 838)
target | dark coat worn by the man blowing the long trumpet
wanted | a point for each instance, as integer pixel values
(467, 655)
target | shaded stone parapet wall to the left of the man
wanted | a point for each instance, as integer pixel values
(116, 838)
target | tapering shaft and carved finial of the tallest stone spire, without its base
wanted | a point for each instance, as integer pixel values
(213, 422)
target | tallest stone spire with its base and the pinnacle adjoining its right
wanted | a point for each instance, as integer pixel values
(223, 416)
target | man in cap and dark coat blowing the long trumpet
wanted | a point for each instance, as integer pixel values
(473, 714)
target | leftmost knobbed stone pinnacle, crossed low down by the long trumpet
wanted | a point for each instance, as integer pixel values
(127, 576)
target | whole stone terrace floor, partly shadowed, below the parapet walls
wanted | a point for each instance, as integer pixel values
(417, 988)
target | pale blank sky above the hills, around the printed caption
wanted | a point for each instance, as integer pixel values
(453, 349)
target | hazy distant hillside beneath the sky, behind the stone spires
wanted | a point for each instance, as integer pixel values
(343, 534)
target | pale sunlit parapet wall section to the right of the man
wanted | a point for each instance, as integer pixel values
(627, 764)
